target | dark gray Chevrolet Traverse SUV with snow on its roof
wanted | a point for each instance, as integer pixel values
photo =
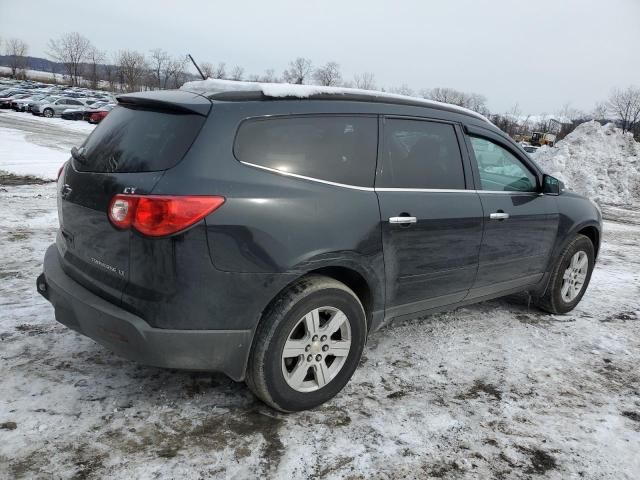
(265, 235)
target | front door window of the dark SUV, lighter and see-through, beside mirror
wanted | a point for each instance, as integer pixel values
(499, 169)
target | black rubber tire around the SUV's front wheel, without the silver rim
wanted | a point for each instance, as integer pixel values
(554, 301)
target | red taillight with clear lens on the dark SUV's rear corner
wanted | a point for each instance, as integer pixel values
(160, 215)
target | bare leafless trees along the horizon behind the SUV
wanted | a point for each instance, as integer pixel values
(130, 70)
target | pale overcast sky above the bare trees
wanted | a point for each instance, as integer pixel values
(539, 54)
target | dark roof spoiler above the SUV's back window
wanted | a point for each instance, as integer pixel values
(178, 101)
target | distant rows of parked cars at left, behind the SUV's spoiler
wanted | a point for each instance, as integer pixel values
(69, 103)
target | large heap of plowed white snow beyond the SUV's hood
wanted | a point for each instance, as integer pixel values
(597, 161)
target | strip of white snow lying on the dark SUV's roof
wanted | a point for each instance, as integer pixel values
(212, 86)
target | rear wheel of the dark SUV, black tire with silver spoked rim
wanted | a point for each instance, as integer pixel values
(287, 318)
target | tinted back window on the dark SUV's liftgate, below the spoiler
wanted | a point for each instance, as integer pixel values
(136, 140)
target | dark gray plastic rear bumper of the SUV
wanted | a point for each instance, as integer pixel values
(128, 335)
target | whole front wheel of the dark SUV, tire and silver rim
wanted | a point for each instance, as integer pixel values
(570, 276)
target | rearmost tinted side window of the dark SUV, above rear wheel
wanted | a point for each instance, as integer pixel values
(333, 148)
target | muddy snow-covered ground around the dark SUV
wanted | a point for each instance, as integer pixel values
(495, 390)
